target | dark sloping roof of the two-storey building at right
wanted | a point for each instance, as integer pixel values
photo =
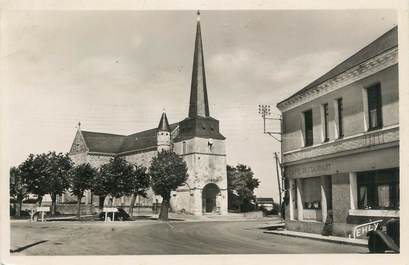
(382, 44)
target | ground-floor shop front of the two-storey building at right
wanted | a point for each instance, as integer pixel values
(344, 190)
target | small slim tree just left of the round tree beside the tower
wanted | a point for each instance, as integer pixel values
(138, 184)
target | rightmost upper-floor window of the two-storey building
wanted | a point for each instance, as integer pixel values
(374, 107)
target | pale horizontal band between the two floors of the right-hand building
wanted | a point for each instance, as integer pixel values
(382, 136)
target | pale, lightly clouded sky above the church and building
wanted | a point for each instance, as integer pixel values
(115, 71)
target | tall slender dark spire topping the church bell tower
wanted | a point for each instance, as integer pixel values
(199, 105)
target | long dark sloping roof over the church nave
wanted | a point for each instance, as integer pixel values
(115, 143)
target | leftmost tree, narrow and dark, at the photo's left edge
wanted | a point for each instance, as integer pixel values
(18, 189)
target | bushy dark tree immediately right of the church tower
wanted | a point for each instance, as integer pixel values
(241, 184)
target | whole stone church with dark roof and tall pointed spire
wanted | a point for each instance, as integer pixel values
(196, 139)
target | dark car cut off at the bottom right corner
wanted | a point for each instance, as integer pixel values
(380, 241)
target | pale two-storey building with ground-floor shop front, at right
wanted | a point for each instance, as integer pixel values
(340, 143)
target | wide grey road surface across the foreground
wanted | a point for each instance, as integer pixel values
(154, 237)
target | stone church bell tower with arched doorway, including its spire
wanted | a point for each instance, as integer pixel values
(202, 146)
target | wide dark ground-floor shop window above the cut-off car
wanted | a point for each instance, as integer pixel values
(378, 189)
